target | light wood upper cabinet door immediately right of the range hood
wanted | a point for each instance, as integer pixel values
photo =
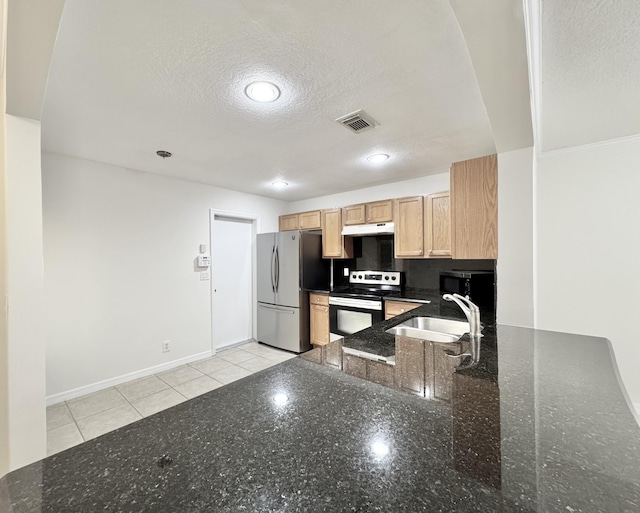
(409, 227)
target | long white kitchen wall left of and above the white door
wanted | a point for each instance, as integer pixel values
(119, 268)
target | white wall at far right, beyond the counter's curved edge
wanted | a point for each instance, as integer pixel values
(589, 248)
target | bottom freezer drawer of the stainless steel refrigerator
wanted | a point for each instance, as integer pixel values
(279, 326)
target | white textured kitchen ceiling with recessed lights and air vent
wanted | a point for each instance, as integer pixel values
(129, 78)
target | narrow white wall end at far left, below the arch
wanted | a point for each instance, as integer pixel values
(26, 349)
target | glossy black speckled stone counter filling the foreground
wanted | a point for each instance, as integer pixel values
(555, 434)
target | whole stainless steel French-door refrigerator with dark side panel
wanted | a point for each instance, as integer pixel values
(289, 264)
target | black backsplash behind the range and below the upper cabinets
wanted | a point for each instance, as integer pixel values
(376, 253)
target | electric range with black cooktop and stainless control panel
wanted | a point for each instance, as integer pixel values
(359, 305)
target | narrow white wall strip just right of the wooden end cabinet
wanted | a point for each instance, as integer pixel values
(515, 238)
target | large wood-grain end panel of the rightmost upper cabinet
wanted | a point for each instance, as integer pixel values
(474, 208)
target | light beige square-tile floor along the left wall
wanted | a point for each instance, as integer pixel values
(83, 418)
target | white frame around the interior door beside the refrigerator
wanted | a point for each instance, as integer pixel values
(255, 227)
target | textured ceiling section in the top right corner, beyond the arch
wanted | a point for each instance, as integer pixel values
(590, 71)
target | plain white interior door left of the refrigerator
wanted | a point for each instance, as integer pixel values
(232, 284)
